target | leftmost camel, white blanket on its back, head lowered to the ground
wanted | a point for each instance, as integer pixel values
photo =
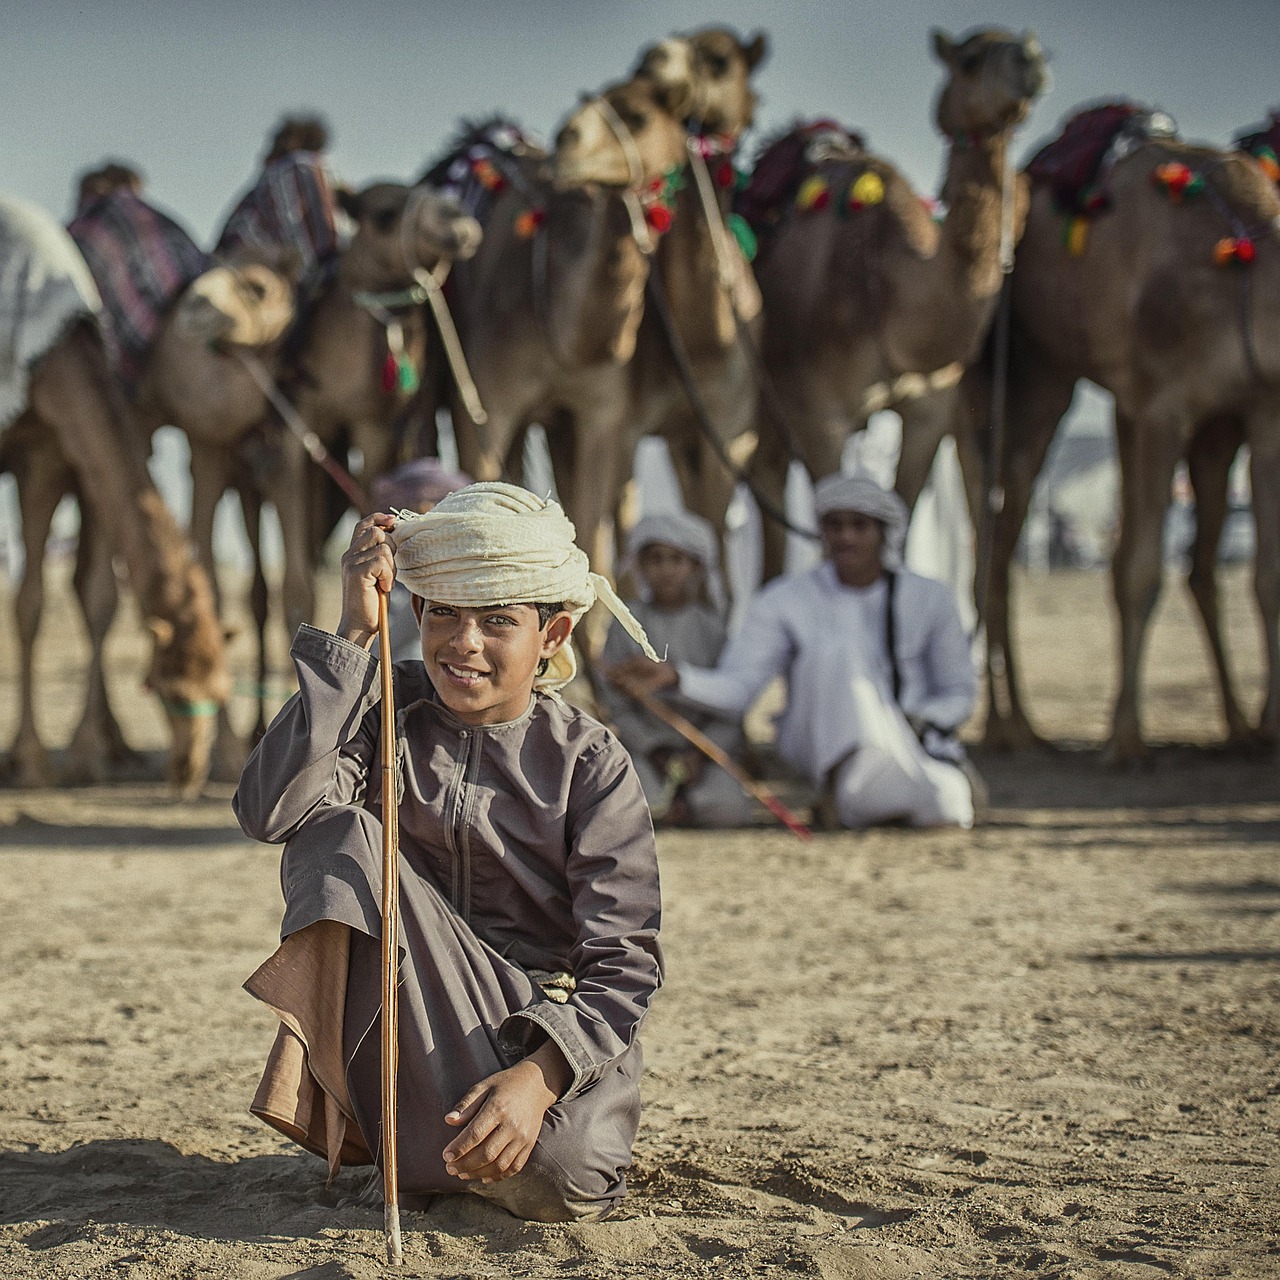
(72, 429)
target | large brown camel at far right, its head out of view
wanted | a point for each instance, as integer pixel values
(1188, 348)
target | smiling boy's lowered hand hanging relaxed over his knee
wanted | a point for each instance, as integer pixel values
(504, 1117)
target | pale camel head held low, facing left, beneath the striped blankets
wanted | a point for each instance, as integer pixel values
(245, 301)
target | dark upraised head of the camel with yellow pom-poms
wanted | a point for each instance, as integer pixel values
(994, 79)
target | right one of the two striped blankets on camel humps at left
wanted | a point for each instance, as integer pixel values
(292, 207)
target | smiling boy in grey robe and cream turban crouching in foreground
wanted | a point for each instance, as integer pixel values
(529, 879)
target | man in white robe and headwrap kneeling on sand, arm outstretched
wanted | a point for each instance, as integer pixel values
(877, 669)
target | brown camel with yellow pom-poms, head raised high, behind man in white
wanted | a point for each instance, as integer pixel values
(870, 304)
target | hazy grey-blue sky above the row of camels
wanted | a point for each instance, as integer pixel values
(189, 92)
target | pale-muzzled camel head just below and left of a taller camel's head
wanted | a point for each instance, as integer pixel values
(625, 138)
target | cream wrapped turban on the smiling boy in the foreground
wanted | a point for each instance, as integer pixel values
(500, 545)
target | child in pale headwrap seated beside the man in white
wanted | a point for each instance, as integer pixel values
(674, 557)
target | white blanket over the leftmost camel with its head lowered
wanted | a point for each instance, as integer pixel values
(45, 287)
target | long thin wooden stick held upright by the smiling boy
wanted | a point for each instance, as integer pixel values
(391, 943)
